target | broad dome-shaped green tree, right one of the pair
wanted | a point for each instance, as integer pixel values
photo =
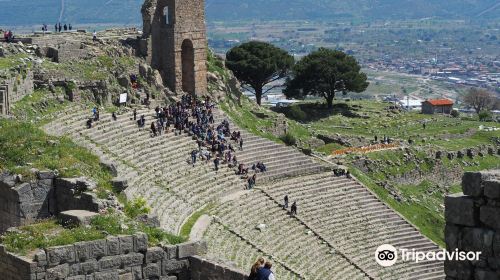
(324, 73)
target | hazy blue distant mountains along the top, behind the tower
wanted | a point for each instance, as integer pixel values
(127, 12)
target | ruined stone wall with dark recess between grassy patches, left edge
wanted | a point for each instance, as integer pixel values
(22, 203)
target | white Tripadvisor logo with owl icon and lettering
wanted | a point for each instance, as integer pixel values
(387, 255)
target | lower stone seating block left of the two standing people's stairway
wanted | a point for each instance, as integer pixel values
(285, 237)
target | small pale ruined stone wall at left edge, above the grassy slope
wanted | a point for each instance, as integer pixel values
(14, 85)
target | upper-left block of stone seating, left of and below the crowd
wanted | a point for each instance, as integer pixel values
(157, 162)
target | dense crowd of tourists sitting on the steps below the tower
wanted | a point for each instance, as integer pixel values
(215, 142)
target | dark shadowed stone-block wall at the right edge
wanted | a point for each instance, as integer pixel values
(473, 224)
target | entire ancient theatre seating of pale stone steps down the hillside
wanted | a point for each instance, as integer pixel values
(334, 236)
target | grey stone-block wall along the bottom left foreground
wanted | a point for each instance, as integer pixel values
(122, 257)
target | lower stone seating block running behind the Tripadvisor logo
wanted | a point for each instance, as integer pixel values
(353, 220)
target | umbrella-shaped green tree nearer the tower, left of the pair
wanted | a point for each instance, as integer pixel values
(257, 64)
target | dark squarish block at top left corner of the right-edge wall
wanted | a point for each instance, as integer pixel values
(460, 210)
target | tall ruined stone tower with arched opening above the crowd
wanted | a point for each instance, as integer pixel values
(174, 41)
